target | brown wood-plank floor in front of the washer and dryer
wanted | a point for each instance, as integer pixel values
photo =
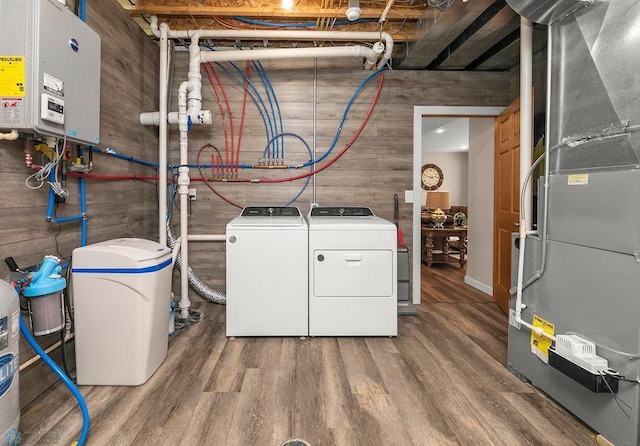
(442, 381)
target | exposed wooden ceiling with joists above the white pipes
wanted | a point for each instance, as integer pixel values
(454, 35)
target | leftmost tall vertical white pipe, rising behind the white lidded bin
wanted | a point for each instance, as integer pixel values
(162, 137)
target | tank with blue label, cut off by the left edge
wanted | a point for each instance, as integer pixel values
(9, 362)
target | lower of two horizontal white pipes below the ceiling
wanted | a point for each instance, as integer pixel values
(291, 53)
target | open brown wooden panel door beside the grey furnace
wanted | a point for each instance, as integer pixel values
(506, 199)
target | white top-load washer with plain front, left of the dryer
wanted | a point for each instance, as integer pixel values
(267, 273)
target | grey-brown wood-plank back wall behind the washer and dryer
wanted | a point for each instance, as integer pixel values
(377, 166)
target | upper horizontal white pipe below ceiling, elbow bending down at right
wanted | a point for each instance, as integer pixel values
(231, 34)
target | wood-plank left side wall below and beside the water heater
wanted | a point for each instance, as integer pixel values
(115, 209)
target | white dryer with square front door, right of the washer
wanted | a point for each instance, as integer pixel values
(352, 273)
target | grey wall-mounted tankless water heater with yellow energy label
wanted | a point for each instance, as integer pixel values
(49, 71)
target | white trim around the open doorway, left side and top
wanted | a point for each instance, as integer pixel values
(418, 113)
